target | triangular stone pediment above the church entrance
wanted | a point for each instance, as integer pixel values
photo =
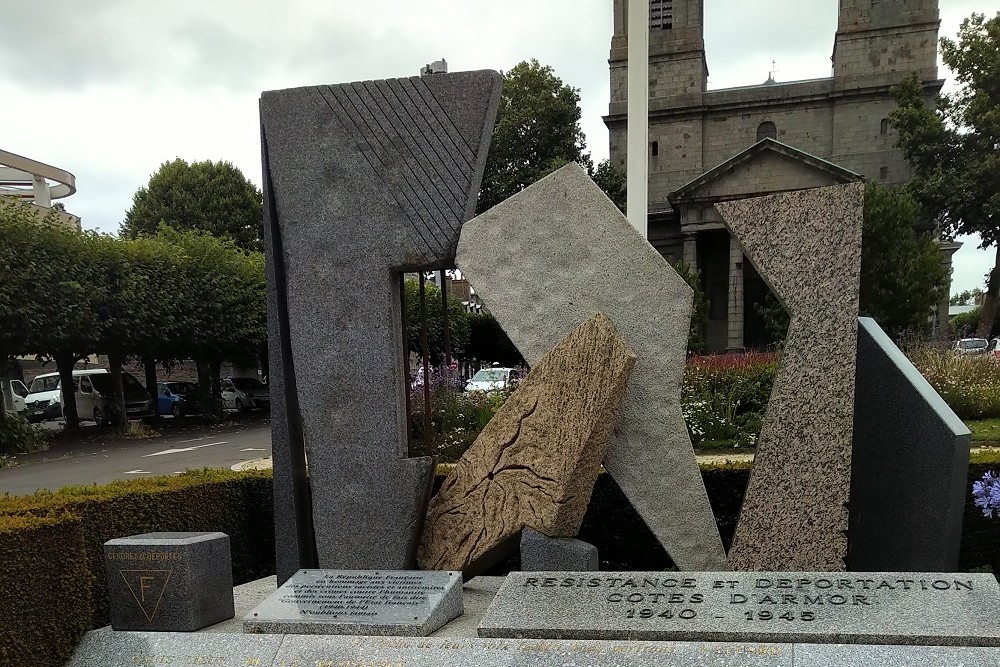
(767, 167)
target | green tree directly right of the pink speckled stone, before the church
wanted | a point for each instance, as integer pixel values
(901, 274)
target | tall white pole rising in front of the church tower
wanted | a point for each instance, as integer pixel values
(637, 161)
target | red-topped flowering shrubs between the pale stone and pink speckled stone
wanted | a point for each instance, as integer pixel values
(724, 397)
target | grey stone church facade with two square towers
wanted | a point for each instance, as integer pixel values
(842, 120)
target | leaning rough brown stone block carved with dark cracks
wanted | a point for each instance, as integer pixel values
(535, 463)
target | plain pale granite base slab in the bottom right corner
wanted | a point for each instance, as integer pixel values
(819, 655)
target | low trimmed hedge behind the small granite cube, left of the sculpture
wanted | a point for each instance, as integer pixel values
(238, 504)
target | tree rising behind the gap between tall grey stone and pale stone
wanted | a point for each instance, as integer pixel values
(536, 132)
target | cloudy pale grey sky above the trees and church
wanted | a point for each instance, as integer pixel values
(110, 89)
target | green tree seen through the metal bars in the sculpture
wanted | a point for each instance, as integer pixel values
(458, 322)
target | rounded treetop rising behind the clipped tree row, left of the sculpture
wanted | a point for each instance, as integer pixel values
(213, 197)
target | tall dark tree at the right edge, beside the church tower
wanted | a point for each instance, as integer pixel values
(954, 149)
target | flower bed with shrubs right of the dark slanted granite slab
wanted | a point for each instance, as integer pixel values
(969, 384)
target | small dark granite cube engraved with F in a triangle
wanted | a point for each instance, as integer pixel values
(169, 581)
